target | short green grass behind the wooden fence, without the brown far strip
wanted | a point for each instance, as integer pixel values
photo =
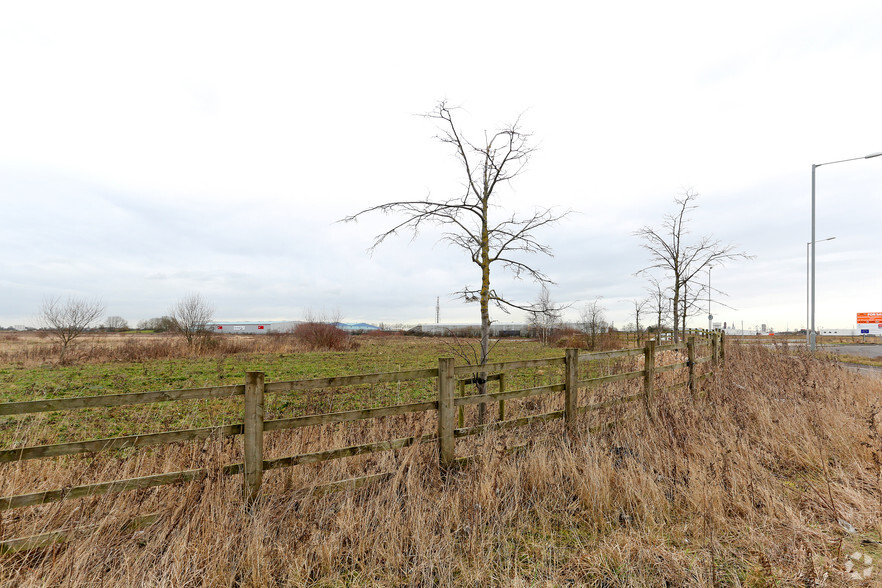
(21, 383)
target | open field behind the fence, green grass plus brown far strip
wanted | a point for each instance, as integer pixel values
(37, 379)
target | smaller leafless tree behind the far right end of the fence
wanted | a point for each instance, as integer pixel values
(671, 251)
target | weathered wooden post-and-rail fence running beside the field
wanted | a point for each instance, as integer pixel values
(448, 405)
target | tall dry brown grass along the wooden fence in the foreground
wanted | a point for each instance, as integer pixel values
(743, 486)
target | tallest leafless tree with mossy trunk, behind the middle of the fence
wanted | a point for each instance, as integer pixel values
(470, 218)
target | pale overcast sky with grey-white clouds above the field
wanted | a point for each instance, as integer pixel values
(154, 150)
